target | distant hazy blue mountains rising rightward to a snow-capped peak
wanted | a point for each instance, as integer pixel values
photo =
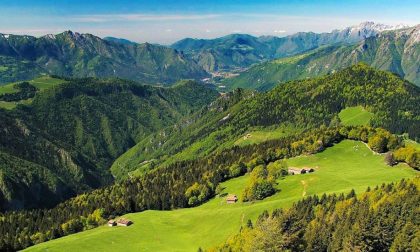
(240, 50)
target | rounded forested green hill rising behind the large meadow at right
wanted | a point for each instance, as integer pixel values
(302, 105)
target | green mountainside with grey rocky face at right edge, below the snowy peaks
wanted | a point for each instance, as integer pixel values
(396, 51)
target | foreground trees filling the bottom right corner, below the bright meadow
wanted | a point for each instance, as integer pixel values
(384, 218)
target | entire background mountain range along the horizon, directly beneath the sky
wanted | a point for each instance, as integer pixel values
(70, 54)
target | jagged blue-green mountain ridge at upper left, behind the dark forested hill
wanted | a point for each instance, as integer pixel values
(84, 55)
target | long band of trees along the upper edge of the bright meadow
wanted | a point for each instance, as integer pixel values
(173, 186)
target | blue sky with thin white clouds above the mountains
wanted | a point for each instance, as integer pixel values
(166, 21)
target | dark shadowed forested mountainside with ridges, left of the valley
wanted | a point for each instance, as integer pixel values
(64, 141)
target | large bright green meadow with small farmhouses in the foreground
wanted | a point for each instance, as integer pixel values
(347, 165)
